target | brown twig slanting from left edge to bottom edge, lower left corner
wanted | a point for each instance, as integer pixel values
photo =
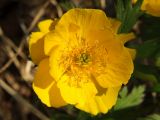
(21, 100)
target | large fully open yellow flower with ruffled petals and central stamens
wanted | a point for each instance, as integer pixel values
(84, 61)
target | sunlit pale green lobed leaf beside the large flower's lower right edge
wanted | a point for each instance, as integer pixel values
(129, 100)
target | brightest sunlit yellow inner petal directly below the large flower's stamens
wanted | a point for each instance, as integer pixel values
(73, 93)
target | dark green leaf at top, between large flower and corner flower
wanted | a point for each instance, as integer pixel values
(128, 14)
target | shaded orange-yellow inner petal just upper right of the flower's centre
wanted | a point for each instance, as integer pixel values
(105, 45)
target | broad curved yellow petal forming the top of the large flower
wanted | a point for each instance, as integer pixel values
(78, 21)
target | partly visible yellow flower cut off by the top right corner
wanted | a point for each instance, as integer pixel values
(151, 7)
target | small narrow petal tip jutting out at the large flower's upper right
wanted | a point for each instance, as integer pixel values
(125, 37)
